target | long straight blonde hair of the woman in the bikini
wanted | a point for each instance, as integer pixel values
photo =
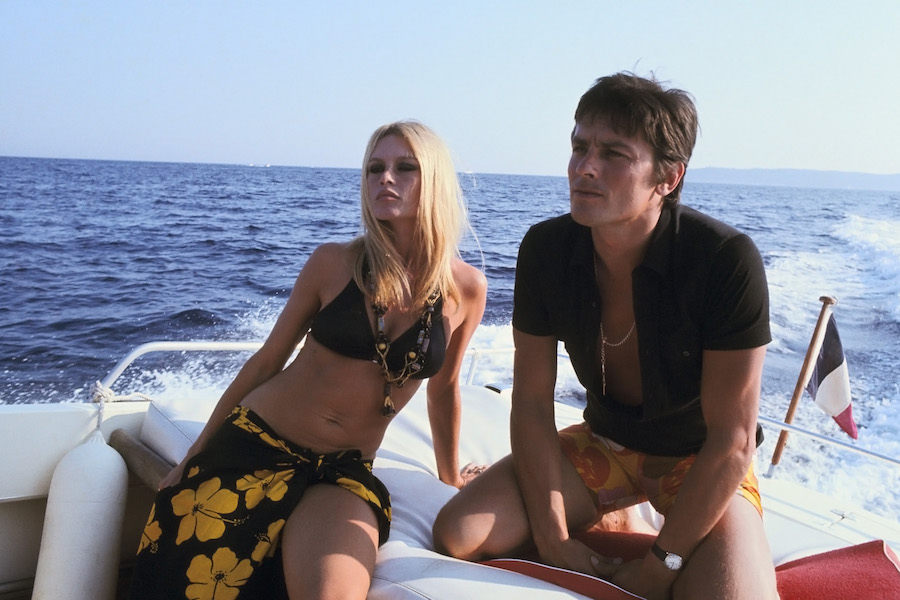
(441, 221)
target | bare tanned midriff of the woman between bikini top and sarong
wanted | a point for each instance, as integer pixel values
(327, 402)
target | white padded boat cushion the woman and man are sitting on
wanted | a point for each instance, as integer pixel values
(406, 567)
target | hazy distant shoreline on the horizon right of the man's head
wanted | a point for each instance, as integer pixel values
(800, 178)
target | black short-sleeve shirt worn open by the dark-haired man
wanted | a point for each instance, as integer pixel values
(701, 286)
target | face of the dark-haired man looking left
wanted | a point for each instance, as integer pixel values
(611, 177)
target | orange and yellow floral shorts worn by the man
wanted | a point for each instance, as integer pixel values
(620, 477)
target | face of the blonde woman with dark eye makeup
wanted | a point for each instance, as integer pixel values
(394, 180)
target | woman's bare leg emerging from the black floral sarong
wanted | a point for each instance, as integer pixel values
(329, 545)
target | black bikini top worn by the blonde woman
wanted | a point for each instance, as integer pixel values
(343, 326)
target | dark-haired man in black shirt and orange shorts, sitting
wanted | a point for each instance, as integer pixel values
(664, 313)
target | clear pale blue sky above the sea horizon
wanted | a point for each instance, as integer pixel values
(778, 84)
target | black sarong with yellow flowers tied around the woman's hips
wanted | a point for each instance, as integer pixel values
(215, 535)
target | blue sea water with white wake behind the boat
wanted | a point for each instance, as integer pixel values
(97, 257)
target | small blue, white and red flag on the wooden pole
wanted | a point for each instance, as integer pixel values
(830, 382)
